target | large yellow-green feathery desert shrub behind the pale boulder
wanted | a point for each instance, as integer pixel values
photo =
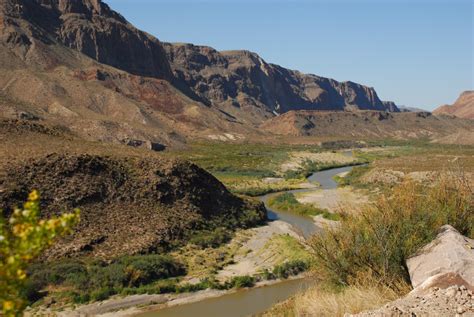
(377, 242)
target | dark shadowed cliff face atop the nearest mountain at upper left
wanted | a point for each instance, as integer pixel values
(90, 27)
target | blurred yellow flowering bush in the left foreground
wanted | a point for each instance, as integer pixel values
(22, 238)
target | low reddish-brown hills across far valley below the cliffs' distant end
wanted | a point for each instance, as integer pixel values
(366, 124)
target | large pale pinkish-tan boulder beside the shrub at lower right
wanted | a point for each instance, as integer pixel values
(450, 252)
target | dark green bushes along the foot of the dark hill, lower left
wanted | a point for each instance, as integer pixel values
(98, 280)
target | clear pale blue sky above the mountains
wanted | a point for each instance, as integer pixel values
(417, 53)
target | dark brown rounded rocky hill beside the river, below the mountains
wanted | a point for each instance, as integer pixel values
(132, 201)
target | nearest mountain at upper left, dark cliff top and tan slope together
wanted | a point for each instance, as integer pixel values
(85, 67)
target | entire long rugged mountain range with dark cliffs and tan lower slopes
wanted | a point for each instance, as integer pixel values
(83, 66)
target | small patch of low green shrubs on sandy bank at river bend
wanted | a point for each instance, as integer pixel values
(288, 202)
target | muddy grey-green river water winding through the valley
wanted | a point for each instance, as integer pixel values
(252, 301)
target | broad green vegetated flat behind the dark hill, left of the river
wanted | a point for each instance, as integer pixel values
(242, 167)
